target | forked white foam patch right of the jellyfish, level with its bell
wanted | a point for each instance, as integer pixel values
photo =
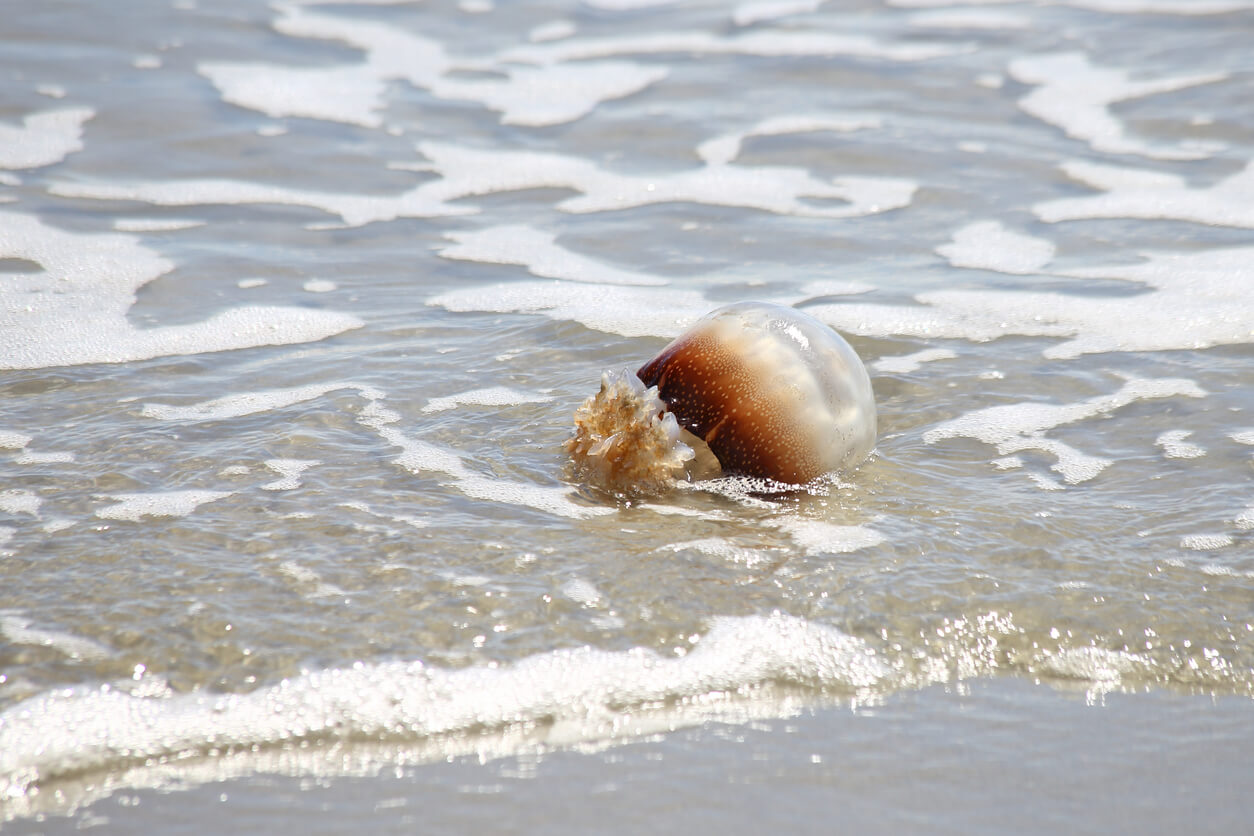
(1021, 427)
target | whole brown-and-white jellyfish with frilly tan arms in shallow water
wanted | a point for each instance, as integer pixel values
(752, 389)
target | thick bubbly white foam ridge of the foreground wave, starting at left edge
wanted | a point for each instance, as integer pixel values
(589, 694)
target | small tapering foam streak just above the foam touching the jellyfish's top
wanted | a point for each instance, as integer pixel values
(539, 253)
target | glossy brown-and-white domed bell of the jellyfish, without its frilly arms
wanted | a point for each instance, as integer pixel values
(774, 393)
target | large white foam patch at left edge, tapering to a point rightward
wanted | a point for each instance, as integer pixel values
(75, 311)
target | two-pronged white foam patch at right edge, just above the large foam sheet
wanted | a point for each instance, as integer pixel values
(1153, 196)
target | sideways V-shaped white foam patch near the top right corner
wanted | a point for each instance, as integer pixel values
(1075, 96)
